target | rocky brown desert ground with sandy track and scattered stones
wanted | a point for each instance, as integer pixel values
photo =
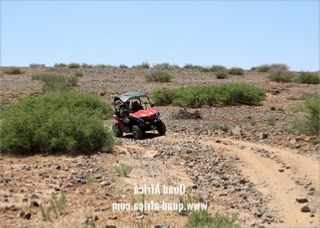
(269, 177)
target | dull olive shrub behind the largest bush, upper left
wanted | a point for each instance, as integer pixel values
(55, 83)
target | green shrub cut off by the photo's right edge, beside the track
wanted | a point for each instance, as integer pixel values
(310, 122)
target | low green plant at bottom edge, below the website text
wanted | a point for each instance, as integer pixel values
(202, 218)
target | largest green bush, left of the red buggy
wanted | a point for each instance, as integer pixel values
(69, 122)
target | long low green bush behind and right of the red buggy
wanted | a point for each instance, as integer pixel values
(196, 96)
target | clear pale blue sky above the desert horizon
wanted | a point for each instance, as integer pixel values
(229, 33)
